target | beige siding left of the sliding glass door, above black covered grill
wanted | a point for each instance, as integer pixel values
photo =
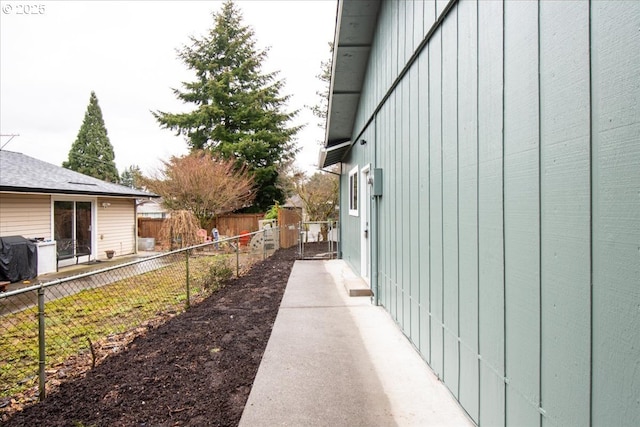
(25, 215)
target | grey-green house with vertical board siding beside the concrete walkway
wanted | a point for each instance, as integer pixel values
(490, 161)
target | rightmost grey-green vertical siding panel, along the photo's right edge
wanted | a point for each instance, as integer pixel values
(615, 210)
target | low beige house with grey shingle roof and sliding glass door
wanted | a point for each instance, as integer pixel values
(41, 200)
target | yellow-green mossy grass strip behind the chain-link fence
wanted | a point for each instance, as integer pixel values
(108, 306)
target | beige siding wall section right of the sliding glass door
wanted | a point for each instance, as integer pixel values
(116, 226)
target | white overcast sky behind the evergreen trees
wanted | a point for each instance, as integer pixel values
(52, 57)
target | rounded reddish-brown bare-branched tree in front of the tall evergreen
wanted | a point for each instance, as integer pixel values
(203, 185)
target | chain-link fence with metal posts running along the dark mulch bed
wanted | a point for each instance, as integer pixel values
(57, 329)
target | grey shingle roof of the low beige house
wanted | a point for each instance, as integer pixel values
(24, 174)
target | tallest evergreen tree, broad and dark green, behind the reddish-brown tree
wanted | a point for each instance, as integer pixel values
(239, 112)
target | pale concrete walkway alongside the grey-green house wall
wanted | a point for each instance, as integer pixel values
(335, 360)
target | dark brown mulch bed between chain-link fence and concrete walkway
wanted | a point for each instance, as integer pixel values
(196, 369)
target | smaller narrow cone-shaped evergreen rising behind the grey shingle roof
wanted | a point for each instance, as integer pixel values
(92, 153)
